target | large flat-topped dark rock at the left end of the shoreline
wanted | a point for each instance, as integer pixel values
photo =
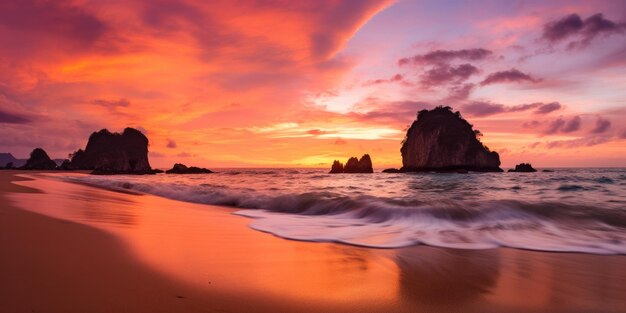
(114, 153)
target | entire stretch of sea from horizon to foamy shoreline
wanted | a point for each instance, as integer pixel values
(568, 210)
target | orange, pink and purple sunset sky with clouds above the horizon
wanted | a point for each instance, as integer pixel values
(302, 83)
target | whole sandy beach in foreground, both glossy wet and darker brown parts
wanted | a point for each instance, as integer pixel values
(73, 248)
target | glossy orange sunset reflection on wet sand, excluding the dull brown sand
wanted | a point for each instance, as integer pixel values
(215, 253)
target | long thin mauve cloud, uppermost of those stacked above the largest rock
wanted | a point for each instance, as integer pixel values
(445, 56)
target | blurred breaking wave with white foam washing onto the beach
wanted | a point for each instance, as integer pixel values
(370, 221)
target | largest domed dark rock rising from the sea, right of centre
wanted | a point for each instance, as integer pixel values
(441, 140)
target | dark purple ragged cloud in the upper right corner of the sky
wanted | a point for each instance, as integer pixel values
(585, 31)
